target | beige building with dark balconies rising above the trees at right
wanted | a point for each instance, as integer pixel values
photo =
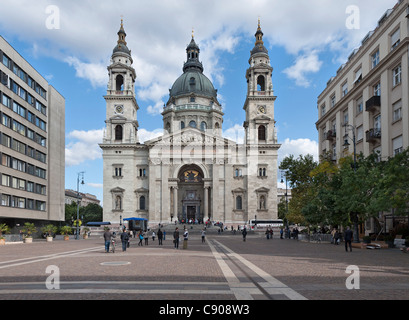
(369, 96)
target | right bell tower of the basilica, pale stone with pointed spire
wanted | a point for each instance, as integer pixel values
(259, 106)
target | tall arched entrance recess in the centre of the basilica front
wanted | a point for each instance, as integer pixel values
(191, 193)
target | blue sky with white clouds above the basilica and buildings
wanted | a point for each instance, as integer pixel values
(70, 44)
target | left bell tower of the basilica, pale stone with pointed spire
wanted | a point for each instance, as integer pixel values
(121, 106)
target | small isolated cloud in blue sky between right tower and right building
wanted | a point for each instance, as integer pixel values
(305, 64)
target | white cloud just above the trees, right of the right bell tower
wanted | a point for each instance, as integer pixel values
(298, 147)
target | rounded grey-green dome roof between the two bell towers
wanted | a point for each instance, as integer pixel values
(193, 82)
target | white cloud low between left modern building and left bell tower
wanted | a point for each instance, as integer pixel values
(83, 146)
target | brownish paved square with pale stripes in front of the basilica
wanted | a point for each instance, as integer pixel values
(223, 268)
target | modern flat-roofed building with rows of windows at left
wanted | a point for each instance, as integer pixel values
(32, 143)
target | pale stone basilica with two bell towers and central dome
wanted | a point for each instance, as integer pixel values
(191, 171)
